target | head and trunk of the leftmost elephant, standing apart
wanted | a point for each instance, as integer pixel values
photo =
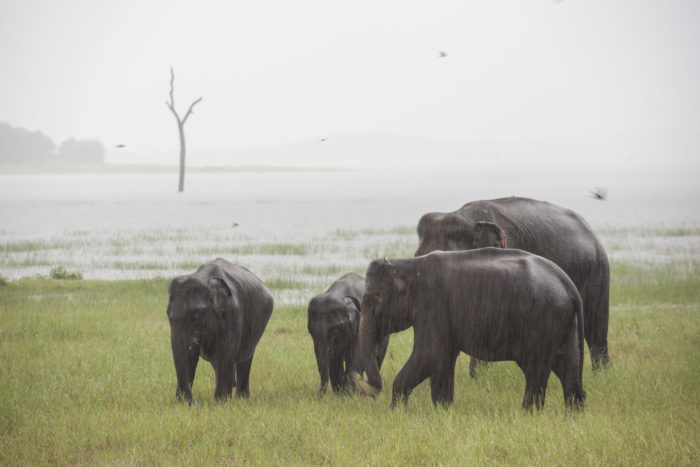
(197, 312)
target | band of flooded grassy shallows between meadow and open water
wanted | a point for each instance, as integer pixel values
(147, 253)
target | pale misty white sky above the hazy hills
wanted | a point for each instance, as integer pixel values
(276, 72)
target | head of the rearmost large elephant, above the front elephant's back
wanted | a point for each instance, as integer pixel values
(452, 231)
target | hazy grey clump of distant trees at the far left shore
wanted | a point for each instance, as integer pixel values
(18, 145)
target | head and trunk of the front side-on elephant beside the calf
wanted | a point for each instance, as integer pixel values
(386, 308)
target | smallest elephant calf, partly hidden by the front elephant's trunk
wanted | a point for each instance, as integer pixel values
(333, 322)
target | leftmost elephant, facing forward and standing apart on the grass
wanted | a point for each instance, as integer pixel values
(217, 313)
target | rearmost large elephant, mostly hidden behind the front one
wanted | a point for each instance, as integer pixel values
(544, 229)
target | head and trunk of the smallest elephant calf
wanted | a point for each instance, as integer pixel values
(333, 324)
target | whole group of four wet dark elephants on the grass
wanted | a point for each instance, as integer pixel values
(506, 279)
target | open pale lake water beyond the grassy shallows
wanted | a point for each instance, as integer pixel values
(298, 207)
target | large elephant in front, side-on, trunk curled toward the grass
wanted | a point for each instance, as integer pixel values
(495, 304)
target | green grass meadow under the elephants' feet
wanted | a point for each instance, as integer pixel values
(87, 378)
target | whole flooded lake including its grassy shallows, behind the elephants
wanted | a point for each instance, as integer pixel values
(110, 226)
